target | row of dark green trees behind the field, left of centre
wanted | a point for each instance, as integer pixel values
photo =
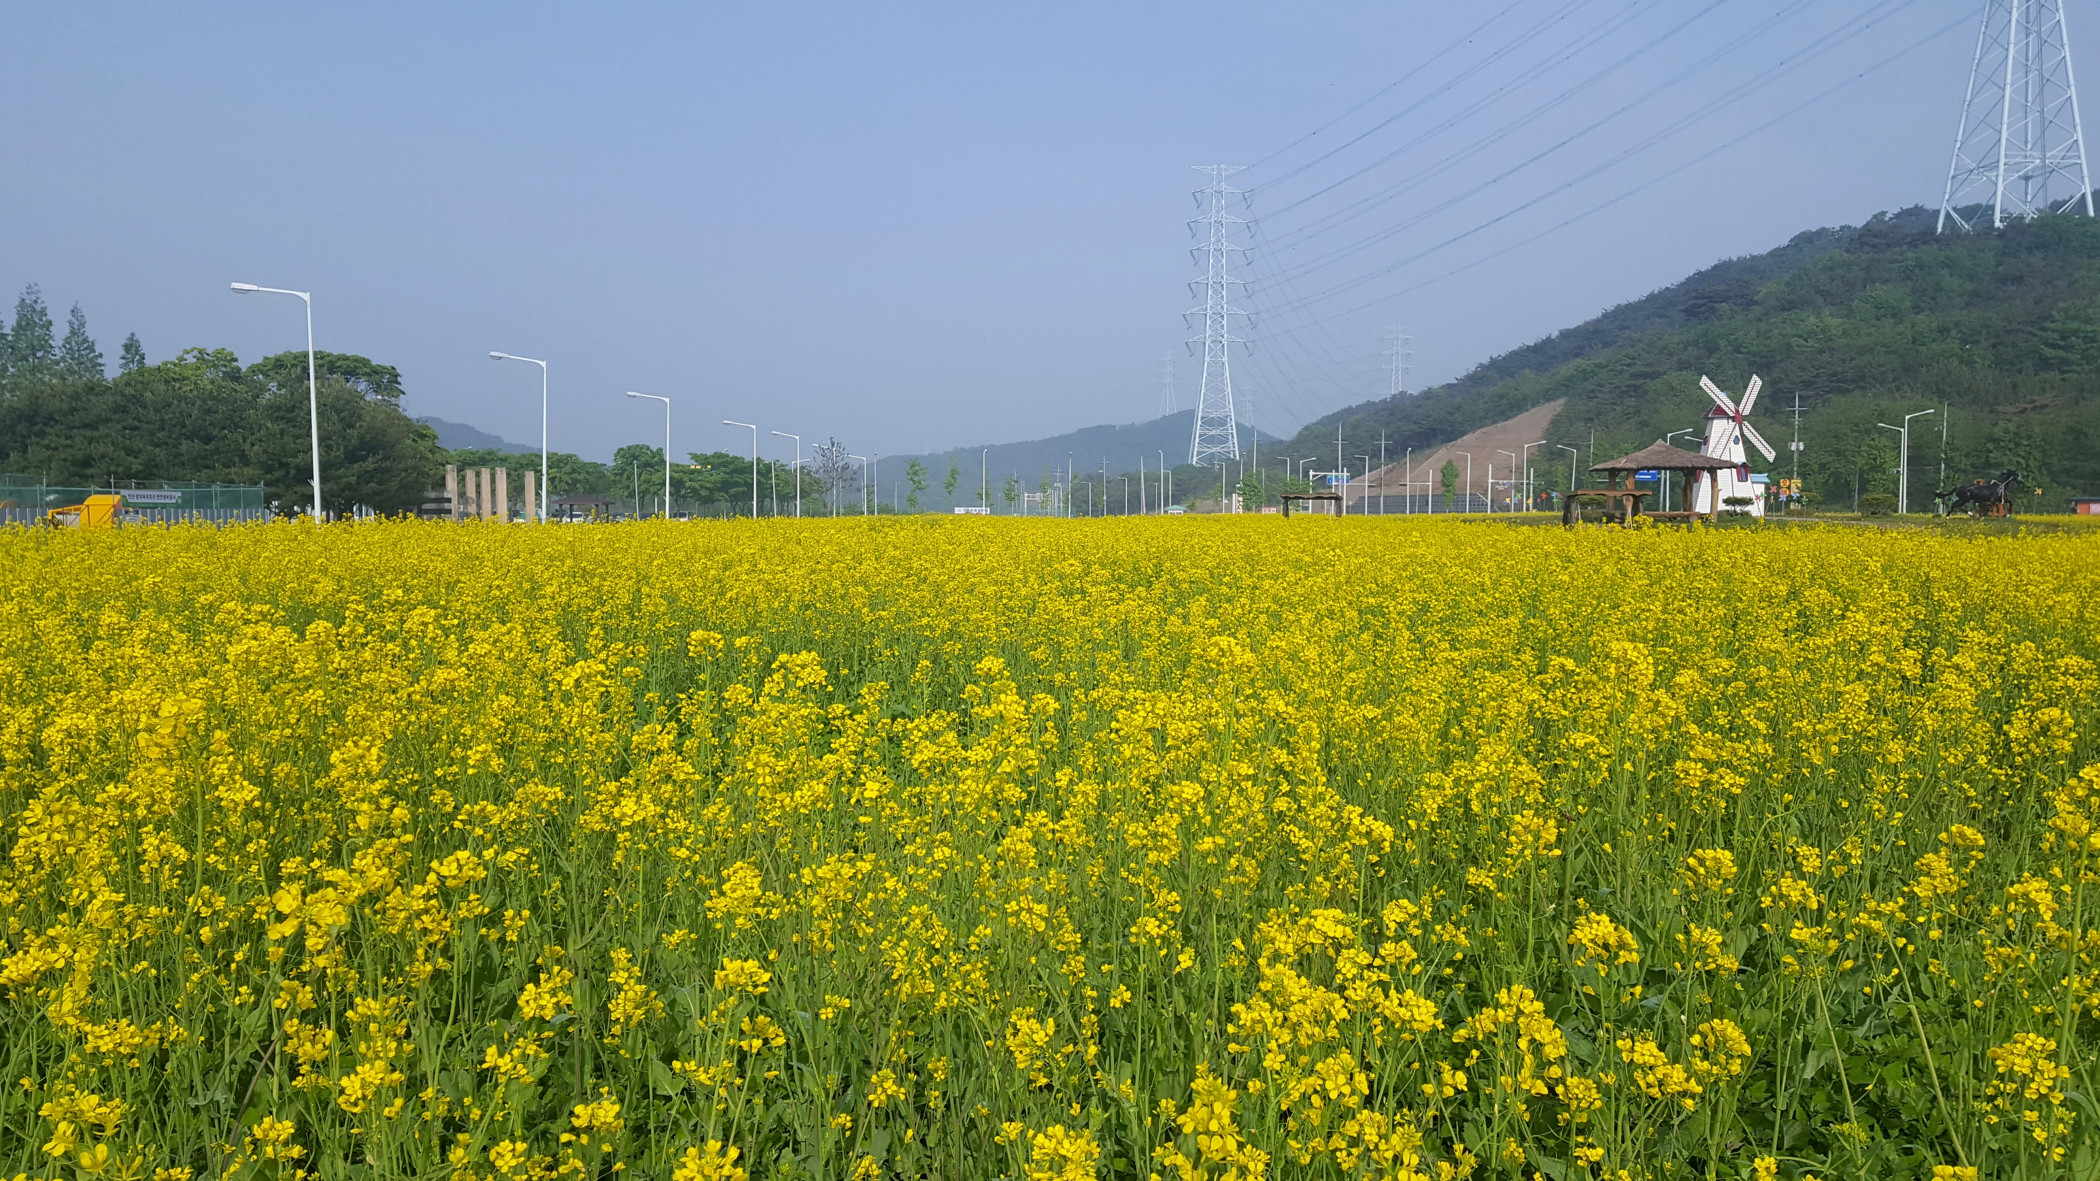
(207, 417)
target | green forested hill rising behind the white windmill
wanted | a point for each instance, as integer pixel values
(1864, 325)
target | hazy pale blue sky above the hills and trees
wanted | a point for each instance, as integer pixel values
(929, 224)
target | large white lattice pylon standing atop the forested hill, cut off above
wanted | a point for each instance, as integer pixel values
(2019, 146)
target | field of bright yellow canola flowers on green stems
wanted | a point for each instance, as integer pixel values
(1051, 850)
